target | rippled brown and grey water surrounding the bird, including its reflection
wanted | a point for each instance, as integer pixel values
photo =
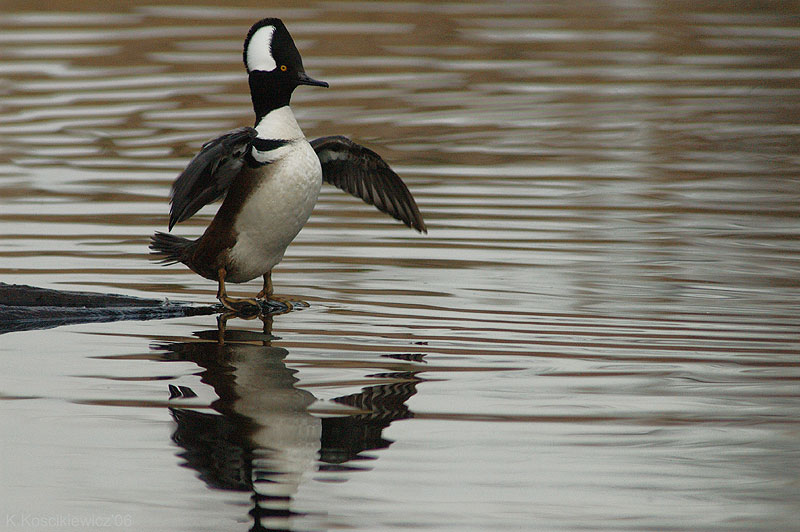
(600, 332)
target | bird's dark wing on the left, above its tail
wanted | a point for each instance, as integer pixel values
(208, 176)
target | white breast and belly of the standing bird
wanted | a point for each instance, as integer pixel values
(278, 207)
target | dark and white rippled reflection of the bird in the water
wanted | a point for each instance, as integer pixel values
(261, 437)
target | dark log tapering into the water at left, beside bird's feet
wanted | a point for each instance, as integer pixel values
(25, 307)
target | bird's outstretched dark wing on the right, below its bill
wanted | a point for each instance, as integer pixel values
(361, 172)
